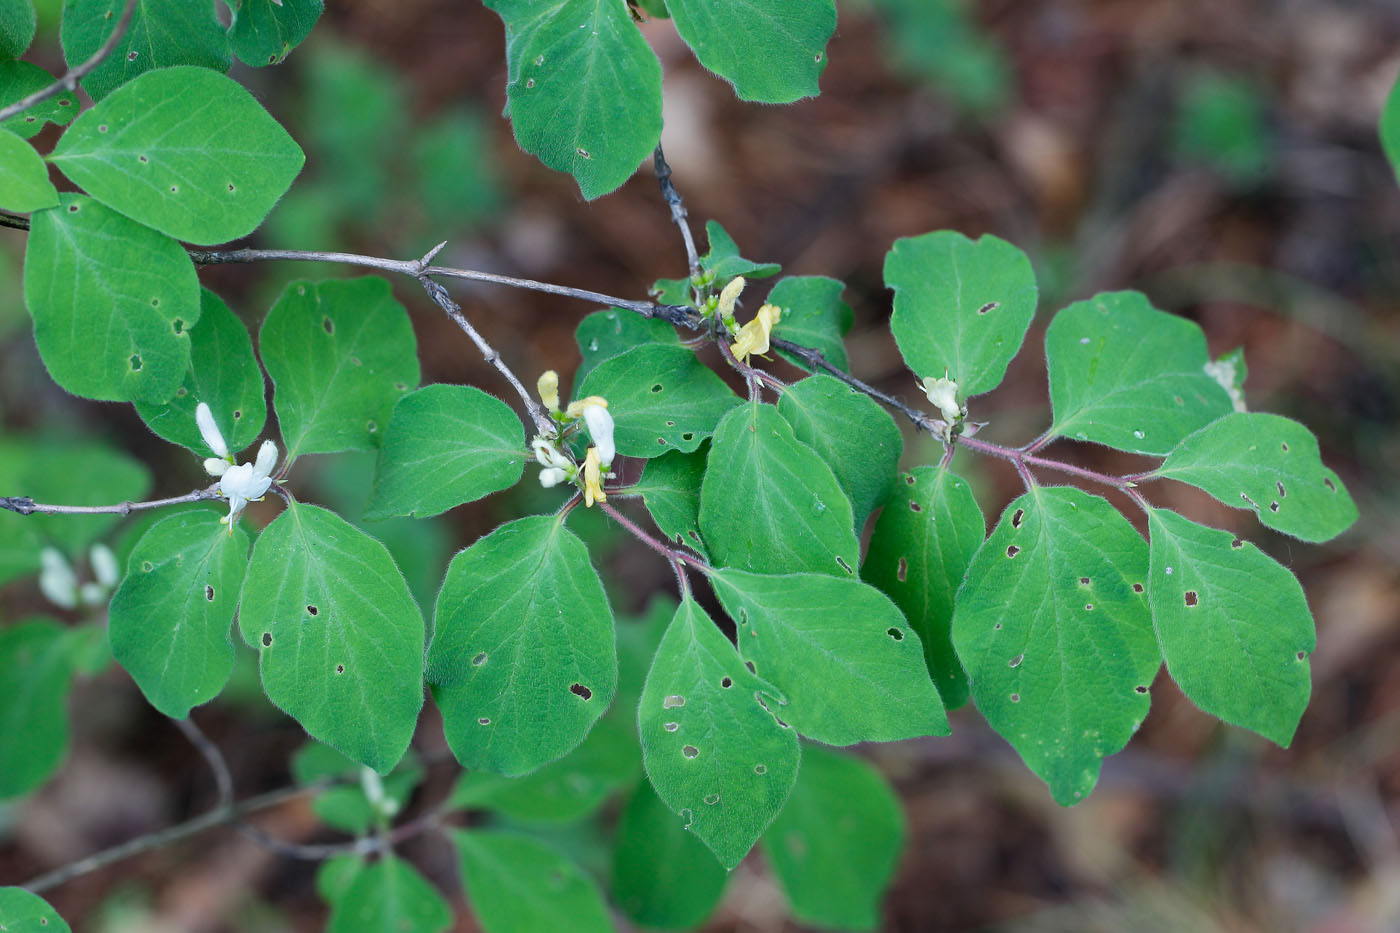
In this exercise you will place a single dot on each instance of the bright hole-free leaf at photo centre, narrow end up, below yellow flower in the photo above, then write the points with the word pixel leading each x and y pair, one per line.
pixel 771 504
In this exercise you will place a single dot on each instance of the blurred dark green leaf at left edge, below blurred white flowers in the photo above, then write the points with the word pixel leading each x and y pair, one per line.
pixel 36 675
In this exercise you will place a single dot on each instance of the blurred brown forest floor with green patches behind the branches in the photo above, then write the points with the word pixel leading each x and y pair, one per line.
pixel 1221 158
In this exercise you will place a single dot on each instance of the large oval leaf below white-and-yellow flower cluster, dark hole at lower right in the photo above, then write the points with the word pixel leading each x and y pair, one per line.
pixel 523 658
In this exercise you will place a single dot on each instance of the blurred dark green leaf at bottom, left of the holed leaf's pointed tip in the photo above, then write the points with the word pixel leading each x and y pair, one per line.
pixel 663 876
